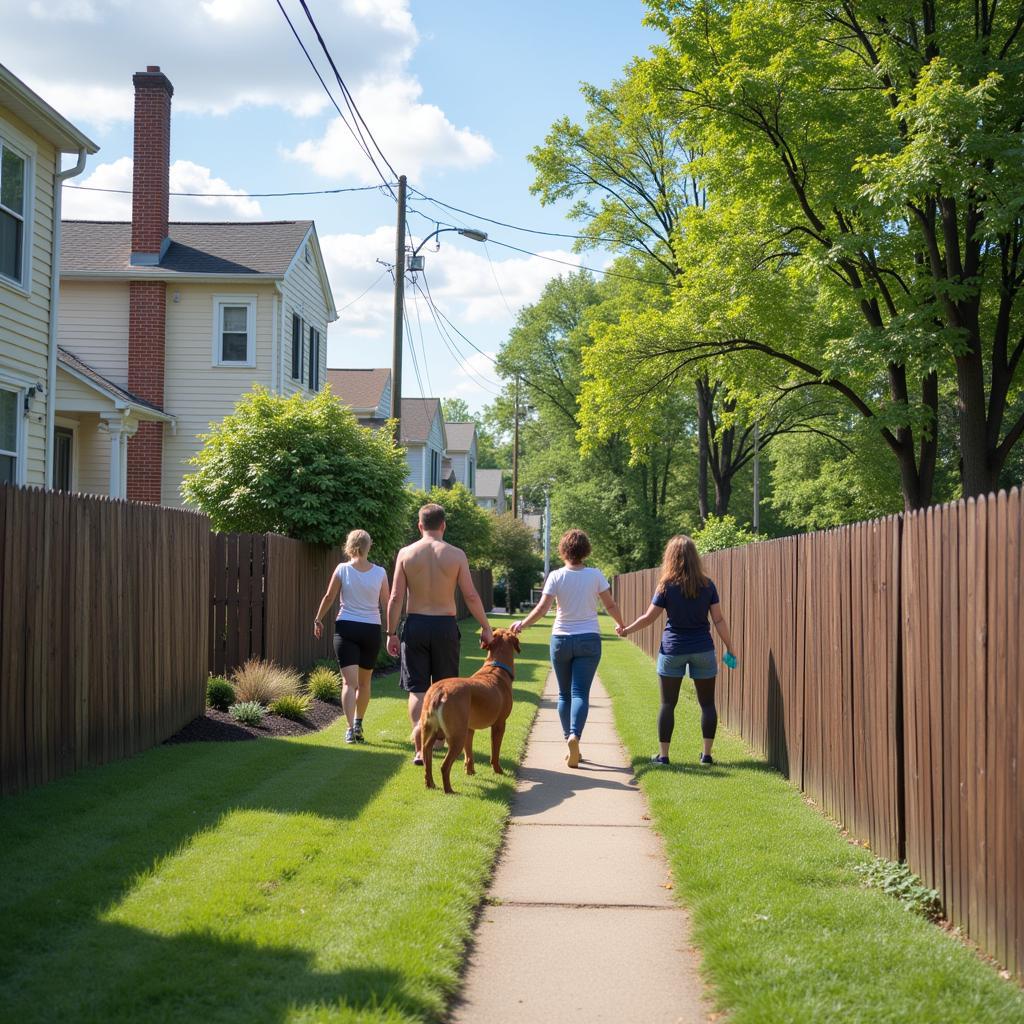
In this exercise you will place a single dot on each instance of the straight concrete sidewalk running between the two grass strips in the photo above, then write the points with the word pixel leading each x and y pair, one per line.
pixel 580 923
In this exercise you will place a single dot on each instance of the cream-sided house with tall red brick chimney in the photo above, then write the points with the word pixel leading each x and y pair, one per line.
pixel 163 327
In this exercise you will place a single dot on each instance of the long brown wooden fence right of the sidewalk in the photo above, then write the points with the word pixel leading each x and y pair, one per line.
pixel 881 670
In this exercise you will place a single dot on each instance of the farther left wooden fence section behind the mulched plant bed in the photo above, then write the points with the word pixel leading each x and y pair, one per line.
pixel 265 591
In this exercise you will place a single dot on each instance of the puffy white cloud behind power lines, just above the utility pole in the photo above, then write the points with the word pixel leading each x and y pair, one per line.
pixel 413 135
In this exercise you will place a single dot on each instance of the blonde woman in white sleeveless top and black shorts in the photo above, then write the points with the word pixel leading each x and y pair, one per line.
pixel 358 631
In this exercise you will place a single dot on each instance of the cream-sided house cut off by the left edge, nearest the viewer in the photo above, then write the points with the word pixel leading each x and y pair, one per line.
pixel 33 137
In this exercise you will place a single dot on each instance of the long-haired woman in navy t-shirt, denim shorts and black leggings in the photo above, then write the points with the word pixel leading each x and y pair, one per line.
pixel 689 598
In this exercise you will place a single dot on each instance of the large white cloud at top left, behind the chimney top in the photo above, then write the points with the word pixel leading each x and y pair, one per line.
pixel 221 55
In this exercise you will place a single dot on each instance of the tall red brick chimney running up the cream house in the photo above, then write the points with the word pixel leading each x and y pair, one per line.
pixel 148 300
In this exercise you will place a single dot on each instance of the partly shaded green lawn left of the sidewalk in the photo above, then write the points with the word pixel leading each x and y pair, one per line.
pixel 297 880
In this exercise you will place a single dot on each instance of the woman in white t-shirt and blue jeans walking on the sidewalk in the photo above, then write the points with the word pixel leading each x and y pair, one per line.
pixel 576 637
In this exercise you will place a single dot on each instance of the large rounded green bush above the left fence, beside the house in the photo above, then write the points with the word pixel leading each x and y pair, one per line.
pixel 303 467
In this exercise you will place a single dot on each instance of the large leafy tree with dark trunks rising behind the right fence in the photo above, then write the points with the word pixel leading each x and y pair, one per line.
pixel 875 150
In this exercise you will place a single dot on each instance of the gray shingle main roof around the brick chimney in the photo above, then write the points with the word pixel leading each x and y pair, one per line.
pixel 229 248
